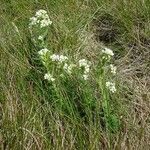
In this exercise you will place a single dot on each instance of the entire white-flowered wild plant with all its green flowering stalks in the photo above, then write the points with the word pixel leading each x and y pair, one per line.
pixel 60 67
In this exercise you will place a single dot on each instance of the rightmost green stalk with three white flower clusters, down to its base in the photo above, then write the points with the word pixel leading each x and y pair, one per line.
pixel 105 69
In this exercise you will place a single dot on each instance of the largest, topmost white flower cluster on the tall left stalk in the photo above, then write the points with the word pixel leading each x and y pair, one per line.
pixel 41 18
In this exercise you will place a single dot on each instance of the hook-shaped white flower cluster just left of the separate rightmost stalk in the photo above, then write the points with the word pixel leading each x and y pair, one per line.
pixel 86 64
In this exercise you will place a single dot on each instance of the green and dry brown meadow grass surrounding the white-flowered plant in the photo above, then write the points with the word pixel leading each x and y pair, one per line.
pixel 31 115
